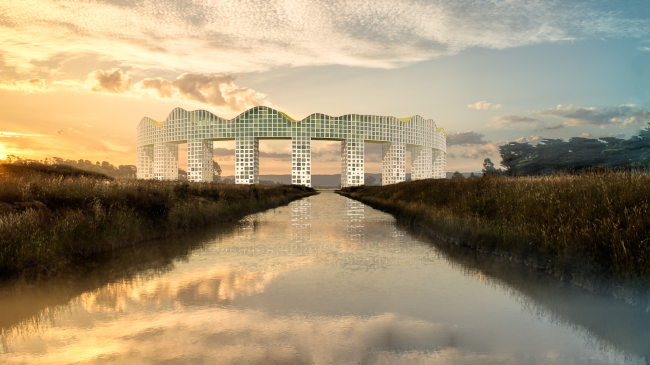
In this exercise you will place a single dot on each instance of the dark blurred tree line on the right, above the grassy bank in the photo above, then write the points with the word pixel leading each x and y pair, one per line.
pixel 578 153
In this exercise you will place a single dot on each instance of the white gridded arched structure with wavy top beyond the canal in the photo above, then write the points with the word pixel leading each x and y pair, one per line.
pixel 157 144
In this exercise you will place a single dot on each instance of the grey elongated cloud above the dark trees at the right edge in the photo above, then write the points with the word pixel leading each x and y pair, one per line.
pixel 619 115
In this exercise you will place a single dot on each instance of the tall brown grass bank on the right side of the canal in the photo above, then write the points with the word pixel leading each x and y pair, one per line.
pixel 591 223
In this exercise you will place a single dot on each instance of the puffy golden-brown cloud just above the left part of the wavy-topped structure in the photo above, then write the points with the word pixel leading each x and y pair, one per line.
pixel 213 89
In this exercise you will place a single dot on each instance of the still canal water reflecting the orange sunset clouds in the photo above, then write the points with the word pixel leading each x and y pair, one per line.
pixel 325 280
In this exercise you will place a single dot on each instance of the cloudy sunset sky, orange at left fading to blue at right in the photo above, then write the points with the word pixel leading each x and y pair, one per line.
pixel 76 77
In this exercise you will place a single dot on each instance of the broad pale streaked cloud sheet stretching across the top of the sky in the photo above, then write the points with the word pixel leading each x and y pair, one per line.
pixel 255 35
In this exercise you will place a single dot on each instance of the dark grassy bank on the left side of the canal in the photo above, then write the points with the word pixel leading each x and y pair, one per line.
pixel 48 220
